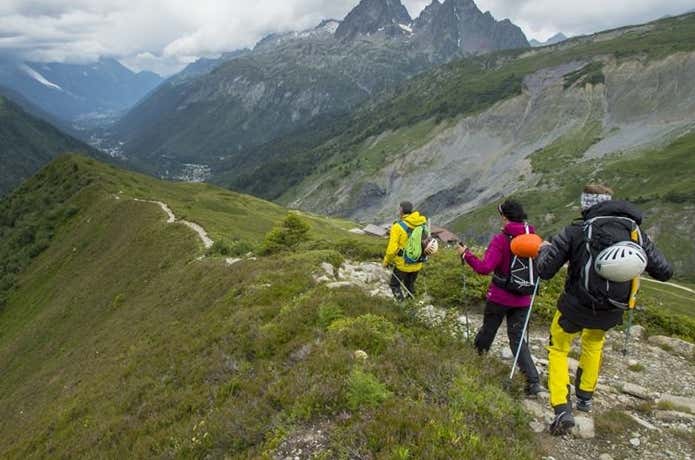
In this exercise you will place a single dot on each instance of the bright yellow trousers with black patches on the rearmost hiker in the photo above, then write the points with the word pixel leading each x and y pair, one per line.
pixel 592 341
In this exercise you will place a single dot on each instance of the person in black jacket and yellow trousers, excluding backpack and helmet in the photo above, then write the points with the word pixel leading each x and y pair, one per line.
pixel 578 312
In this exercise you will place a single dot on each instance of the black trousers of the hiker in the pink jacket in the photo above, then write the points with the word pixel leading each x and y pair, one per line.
pixel 492 319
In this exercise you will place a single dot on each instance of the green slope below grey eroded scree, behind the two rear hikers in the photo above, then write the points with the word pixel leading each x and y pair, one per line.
pixel 659 181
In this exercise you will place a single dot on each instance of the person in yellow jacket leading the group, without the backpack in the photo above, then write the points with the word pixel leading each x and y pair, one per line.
pixel 404 274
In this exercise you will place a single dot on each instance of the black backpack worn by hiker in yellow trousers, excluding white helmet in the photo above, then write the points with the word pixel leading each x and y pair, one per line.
pixel 600 233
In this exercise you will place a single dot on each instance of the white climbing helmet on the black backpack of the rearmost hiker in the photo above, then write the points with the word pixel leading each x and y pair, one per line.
pixel 621 262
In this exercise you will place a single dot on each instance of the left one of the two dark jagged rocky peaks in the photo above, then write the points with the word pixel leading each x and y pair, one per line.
pixel 372 16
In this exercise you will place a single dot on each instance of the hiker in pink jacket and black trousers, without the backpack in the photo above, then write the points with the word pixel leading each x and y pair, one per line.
pixel 501 303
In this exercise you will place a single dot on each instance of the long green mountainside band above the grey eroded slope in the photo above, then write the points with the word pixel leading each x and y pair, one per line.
pixel 445 94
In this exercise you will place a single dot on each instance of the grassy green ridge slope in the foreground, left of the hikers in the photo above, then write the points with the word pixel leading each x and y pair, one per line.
pixel 118 340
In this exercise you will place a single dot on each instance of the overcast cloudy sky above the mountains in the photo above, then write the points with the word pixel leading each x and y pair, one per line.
pixel 164 35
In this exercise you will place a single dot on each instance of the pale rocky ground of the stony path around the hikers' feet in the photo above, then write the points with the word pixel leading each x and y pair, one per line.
pixel 644 406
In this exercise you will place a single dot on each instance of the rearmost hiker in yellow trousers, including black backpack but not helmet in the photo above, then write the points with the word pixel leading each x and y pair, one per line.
pixel 582 309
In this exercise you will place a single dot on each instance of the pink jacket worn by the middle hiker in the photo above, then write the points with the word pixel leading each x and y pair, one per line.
pixel 497 259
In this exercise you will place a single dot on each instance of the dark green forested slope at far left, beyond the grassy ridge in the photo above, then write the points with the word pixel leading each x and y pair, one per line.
pixel 27 143
